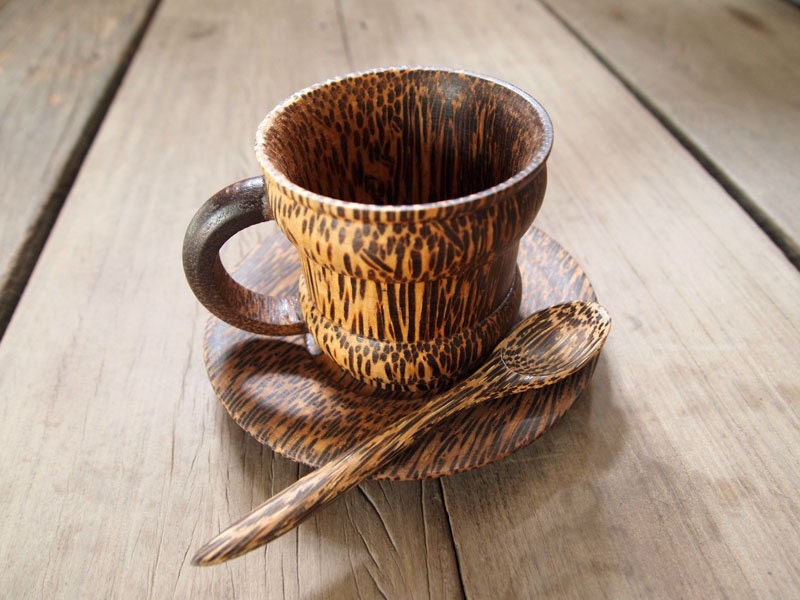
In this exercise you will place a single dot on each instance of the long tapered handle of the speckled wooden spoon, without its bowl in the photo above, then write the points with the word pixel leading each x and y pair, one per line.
pixel 285 510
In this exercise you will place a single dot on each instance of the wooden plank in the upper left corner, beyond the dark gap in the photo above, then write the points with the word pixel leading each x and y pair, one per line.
pixel 59 65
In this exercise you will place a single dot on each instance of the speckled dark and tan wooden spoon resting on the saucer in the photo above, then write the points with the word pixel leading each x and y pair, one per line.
pixel 543 349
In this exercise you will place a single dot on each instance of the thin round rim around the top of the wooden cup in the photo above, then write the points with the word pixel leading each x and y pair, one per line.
pixel 344 208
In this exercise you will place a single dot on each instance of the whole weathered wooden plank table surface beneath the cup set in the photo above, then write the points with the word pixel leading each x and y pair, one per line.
pixel 673 181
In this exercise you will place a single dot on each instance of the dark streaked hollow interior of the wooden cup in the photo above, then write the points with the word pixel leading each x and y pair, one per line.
pixel 404 137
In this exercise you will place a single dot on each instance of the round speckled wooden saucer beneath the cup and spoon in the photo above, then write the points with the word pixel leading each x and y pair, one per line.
pixel 301 407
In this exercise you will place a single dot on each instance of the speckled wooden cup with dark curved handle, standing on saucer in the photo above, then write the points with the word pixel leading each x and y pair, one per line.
pixel 406 192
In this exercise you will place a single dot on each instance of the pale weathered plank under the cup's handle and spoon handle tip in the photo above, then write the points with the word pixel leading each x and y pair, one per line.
pixel 118 462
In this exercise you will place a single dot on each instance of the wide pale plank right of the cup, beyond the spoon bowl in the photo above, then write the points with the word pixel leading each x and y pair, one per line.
pixel 677 474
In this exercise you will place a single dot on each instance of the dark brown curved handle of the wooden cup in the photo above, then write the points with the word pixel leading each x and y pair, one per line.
pixel 226 213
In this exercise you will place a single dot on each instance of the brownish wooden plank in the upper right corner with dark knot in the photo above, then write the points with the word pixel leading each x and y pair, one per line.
pixel 726 76
